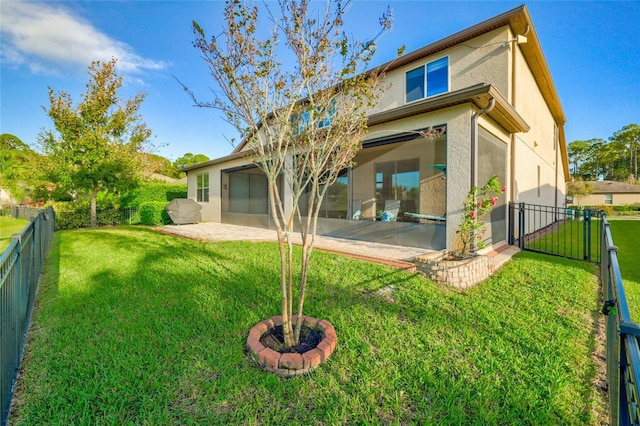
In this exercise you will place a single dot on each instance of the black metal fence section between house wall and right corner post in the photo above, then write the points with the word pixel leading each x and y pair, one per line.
pixel 567 232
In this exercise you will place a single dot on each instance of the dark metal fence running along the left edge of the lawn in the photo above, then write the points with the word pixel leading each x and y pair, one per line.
pixel 20 268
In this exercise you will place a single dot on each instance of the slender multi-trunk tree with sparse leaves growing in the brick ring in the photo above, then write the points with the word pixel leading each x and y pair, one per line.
pixel 303 123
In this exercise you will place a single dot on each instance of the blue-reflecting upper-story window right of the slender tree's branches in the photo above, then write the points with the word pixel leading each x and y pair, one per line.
pixel 428 80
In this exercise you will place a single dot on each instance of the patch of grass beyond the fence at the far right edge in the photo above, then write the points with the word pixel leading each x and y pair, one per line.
pixel 626 234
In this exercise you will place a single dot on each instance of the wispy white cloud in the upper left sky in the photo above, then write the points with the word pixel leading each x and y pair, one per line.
pixel 41 36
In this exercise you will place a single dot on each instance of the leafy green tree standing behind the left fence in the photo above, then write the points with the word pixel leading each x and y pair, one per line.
pixel 96 144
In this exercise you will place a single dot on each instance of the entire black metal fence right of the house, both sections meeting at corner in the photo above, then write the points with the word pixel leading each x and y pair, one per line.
pixel 584 234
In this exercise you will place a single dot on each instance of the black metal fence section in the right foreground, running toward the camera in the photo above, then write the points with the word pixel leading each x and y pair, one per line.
pixel 623 351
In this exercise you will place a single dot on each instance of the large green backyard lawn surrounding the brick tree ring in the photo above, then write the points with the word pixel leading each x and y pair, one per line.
pixel 132 326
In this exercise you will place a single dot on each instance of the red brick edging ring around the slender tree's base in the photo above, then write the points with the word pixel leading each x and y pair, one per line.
pixel 292 364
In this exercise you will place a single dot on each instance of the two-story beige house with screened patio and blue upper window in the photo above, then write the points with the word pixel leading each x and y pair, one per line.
pixel 487 89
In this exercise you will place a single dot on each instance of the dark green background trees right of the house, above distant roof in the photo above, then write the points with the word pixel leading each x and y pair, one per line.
pixel 614 159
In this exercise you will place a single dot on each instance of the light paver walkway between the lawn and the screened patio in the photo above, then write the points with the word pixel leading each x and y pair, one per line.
pixel 398 256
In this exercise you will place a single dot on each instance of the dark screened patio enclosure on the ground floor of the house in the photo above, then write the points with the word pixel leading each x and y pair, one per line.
pixel 395 193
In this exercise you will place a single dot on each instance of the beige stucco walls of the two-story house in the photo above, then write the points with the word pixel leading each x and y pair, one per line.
pixel 534 169
